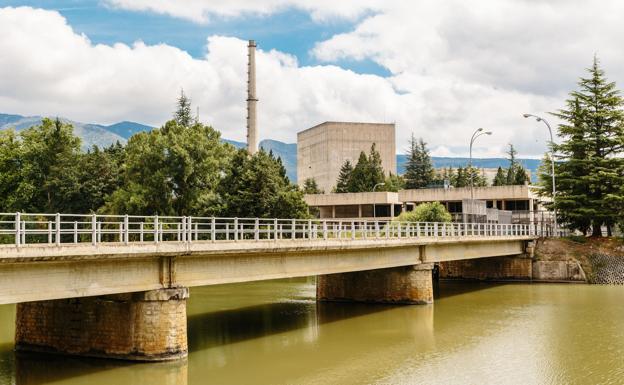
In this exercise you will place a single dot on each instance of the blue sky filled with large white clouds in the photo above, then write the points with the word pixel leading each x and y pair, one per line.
pixel 438 68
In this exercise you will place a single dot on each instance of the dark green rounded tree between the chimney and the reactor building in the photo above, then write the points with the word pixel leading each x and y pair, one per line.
pixel 254 186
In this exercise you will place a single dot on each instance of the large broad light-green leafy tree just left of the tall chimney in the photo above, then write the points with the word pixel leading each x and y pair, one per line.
pixel 173 170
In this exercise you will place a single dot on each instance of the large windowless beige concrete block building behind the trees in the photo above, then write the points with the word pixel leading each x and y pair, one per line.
pixel 323 149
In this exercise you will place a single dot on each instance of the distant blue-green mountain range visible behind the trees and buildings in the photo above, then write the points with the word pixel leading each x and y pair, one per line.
pixel 103 135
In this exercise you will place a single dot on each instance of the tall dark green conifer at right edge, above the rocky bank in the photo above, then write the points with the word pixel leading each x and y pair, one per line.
pixel 590 172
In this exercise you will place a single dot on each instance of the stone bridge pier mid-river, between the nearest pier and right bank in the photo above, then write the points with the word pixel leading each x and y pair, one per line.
pixel 405 284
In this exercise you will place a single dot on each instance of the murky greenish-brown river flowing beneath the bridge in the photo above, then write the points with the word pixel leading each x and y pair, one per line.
pixel 274 332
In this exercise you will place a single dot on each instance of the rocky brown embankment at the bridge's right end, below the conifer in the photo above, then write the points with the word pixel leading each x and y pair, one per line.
pixel 594 260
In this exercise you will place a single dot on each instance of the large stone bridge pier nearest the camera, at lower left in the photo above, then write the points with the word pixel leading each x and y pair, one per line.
pixel 143 326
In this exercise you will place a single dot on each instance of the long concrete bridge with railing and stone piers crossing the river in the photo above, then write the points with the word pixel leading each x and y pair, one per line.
pixel 116 286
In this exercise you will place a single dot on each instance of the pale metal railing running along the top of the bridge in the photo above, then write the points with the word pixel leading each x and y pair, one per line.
pixel 55 229
